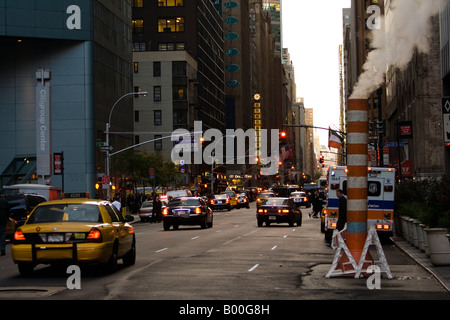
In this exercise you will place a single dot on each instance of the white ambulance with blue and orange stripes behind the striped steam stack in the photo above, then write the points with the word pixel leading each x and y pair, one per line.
pixel 380 194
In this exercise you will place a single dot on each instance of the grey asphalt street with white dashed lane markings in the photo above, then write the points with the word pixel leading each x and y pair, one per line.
pixel 234 260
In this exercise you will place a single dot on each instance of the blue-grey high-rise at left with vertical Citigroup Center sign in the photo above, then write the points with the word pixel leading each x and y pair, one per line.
pixel 64 65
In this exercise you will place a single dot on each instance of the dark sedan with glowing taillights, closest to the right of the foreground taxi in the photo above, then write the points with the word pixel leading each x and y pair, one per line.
pixel 187 211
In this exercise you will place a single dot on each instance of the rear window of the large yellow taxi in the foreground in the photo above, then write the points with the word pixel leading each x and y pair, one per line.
pixel 65 213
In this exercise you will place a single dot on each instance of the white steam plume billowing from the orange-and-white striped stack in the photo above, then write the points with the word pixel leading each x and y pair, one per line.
pixel 405 27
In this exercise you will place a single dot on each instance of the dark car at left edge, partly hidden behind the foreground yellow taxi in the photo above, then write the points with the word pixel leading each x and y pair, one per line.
pixel 21 205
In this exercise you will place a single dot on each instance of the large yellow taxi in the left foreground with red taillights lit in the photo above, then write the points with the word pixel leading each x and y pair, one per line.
pixel 74 231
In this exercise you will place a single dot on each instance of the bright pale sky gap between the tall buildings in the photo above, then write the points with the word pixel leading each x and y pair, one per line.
pixel 312 32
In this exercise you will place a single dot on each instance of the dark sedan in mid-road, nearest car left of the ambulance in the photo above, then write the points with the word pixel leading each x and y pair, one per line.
pixel 278 210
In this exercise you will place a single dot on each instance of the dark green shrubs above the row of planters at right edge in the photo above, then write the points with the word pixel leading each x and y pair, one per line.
pixel 425 200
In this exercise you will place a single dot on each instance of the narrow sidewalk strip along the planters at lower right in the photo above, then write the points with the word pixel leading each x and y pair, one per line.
pixel 441 273
